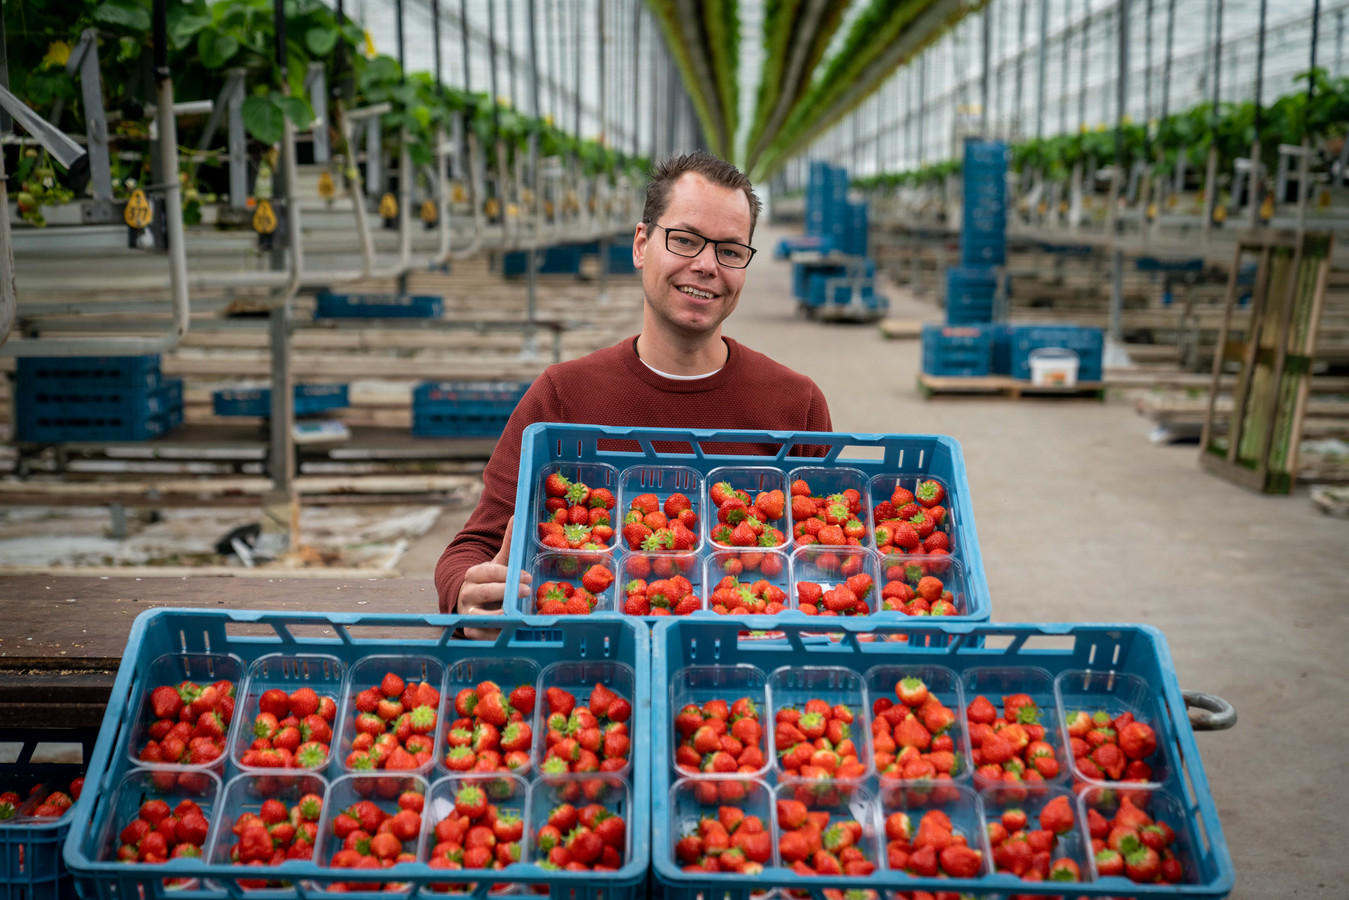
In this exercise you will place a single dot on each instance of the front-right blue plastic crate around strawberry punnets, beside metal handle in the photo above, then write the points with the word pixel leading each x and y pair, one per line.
pixel 720 654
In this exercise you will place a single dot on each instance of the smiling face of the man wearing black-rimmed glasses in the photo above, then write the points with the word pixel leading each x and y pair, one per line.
pixel 691 298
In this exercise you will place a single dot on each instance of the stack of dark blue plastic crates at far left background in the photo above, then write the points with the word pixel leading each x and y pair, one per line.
pixel 95 399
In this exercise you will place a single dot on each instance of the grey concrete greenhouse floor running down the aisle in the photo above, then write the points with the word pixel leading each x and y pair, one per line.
pixel 1083 520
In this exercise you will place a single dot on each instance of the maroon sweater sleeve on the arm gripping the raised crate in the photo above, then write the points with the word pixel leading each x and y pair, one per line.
pixel 482 535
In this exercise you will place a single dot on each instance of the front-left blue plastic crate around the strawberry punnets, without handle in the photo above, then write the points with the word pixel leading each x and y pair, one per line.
pixel 349 638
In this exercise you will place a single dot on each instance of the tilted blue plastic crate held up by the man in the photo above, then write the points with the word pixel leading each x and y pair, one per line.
pixel 590 451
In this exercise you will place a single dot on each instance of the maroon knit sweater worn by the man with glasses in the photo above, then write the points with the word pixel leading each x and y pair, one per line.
pixel 614 388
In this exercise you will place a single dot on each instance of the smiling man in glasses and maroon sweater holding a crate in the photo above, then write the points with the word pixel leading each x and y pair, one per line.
pixel 693 248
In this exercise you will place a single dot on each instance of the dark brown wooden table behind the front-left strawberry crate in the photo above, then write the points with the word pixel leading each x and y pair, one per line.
pixel 61 639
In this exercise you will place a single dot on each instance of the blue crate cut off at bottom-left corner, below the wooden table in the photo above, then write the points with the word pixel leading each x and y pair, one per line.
pixel 30 848
